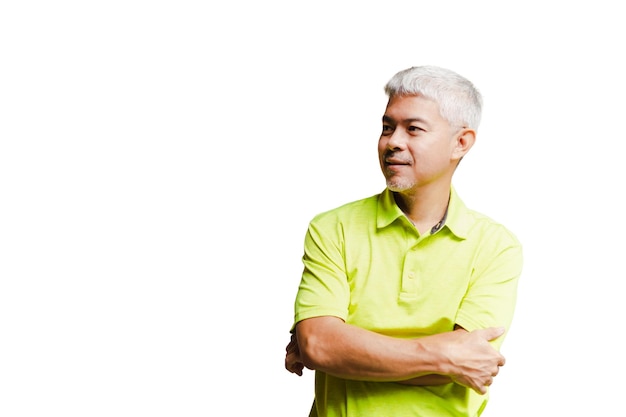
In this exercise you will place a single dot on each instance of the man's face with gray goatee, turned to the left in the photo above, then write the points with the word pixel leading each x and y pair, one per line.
pixel 417 146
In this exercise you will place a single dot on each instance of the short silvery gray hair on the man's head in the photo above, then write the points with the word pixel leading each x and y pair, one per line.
pixel 460 103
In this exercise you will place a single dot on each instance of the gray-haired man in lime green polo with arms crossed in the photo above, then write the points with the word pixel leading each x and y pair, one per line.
pixel 405 296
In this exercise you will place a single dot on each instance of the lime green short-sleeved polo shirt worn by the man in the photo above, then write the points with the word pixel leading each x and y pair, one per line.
pixel 365 263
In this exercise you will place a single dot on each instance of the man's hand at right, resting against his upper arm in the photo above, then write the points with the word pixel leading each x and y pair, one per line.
pixel 474 361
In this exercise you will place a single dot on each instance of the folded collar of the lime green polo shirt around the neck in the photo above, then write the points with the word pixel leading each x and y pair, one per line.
pixel 456 219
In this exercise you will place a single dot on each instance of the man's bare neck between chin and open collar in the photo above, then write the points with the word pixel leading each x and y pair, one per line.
pixel 424 207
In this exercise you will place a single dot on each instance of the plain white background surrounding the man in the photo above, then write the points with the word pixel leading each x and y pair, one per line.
pixel 159 163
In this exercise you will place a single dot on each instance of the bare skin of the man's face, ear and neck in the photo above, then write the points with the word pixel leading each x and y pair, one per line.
pixel 418 154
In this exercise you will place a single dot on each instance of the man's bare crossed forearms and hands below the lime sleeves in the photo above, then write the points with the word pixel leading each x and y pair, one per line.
pixel 330 345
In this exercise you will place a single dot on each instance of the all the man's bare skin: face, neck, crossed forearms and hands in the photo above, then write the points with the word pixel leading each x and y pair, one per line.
pixel 418 154
